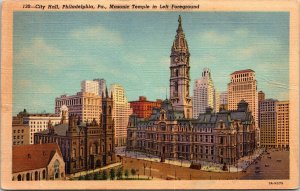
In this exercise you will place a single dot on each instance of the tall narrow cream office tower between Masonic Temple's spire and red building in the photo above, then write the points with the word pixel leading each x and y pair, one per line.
pixel 121 112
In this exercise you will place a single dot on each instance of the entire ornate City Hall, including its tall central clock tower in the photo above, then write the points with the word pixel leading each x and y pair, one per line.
pixel 171 132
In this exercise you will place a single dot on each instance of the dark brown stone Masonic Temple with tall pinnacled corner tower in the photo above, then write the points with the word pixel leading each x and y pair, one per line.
pixel 84 145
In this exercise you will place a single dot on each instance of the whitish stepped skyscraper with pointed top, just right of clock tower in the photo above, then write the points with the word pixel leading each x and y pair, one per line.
pixel 205 94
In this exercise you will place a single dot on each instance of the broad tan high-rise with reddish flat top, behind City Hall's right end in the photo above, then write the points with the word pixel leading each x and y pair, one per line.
pixel 243 86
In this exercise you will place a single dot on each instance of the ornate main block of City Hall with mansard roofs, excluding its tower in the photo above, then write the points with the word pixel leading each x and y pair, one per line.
pixel 222 137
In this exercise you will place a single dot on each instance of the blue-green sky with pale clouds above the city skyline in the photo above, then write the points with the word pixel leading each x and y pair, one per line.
pixel 55 51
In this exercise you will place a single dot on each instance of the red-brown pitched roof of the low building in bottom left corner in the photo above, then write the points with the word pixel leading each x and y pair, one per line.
pixel 30 157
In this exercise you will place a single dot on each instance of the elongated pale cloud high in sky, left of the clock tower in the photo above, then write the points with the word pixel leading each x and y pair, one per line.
pixel 97 34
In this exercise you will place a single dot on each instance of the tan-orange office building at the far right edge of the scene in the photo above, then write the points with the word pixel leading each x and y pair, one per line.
pixel 282 122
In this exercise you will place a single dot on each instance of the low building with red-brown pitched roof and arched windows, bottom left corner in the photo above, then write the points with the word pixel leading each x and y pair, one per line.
pixel 37 162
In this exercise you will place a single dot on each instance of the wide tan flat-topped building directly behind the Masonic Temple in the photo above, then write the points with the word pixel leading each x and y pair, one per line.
pixel 84 104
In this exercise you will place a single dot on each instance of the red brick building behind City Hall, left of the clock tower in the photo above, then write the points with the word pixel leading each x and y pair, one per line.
pixel 143 107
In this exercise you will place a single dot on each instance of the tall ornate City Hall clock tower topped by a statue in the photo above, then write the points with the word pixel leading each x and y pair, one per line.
pixel 180 73
